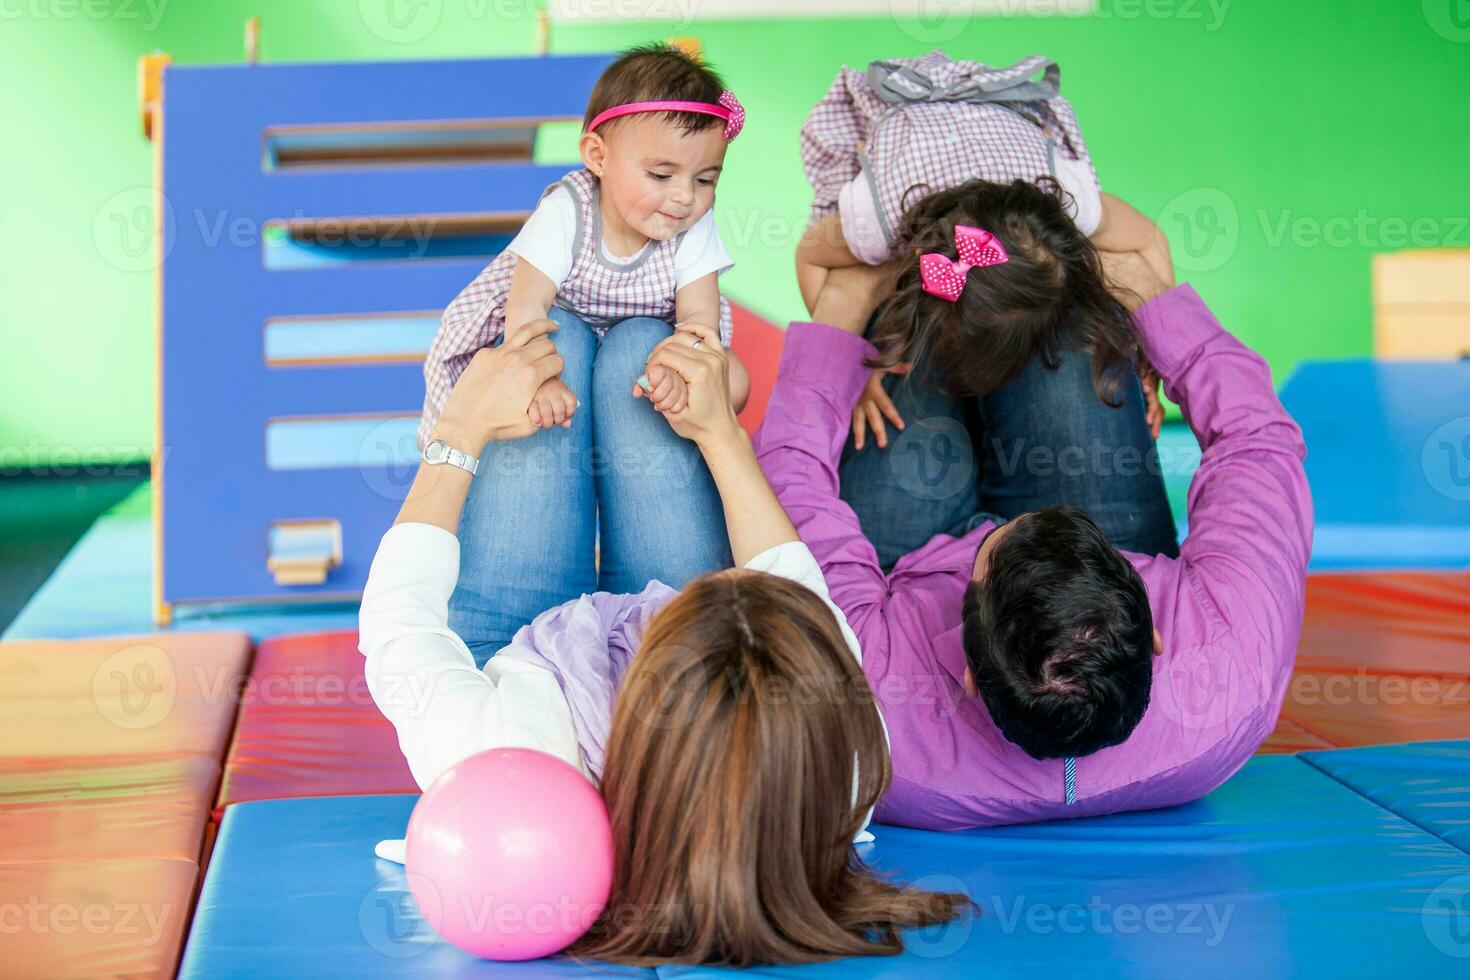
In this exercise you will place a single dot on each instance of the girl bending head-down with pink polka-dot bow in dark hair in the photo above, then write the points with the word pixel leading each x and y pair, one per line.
pixel 908 152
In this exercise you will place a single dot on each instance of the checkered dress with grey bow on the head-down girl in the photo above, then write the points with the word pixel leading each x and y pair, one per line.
pixel 914 127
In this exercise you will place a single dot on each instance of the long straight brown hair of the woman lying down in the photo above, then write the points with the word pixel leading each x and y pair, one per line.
pixel 730 782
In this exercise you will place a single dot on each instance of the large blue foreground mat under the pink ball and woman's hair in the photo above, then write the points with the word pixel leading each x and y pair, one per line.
pixel 1281 872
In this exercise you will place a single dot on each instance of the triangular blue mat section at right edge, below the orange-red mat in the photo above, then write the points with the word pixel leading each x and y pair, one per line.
pixel 1428 784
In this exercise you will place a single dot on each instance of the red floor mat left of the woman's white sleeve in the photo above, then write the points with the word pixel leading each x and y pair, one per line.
pixel 309 728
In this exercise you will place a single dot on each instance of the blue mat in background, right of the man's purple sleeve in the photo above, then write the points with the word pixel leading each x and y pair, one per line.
pixel 1388 456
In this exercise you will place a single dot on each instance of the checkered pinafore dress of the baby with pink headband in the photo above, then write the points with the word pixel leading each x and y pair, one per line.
pixel 599 292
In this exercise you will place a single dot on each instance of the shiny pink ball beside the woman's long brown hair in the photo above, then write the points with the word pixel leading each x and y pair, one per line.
pixel 511 854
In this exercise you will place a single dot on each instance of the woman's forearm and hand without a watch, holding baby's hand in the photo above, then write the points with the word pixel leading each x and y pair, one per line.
pixel 753 516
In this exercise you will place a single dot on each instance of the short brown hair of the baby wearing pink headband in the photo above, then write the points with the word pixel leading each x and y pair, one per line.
pixel 656 73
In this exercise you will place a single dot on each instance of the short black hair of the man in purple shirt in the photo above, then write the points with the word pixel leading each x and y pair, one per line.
pixel 1059 637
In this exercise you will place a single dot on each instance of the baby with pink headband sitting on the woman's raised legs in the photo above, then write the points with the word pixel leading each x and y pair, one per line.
pixel 628 236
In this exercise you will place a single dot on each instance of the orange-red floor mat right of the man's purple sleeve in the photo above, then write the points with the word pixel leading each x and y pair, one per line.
pixel 1384 657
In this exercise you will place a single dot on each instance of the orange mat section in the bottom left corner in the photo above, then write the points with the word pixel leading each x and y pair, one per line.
pixel 95 919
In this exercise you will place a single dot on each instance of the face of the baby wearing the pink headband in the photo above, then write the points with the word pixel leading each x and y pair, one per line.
pixel 658 177
